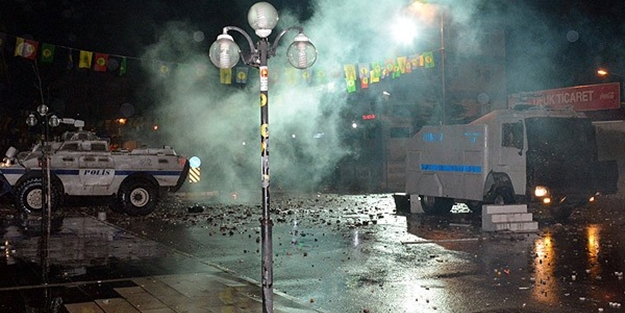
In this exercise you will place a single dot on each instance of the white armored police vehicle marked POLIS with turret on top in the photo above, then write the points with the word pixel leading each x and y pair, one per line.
pixel 82 164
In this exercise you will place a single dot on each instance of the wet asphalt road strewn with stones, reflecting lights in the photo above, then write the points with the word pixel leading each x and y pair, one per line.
pixel 354 253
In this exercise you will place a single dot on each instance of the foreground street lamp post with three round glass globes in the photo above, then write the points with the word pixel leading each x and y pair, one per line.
pixel 225 53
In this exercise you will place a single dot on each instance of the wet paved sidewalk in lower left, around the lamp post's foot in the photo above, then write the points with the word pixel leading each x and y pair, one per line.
pixel 97 267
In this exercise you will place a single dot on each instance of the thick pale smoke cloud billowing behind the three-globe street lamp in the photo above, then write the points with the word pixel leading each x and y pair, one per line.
pixel 221 123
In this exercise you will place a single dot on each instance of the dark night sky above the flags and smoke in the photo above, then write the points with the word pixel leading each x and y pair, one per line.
pixel 569 38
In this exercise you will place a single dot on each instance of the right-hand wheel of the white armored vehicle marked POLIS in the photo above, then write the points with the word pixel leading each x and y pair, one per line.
pixel 137 197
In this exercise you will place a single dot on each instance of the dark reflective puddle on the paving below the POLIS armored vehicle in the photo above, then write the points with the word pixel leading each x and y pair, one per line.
pixel 74 245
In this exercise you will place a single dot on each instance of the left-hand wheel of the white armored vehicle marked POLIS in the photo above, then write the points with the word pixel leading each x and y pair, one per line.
pixel 29 195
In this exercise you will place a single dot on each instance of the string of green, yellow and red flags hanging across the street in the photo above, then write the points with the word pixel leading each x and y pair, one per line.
pixel 356 75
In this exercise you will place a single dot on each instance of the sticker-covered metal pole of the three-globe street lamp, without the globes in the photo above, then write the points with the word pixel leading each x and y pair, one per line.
pixel 265 222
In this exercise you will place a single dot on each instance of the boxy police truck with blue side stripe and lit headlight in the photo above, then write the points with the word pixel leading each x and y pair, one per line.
pixel 526 155
